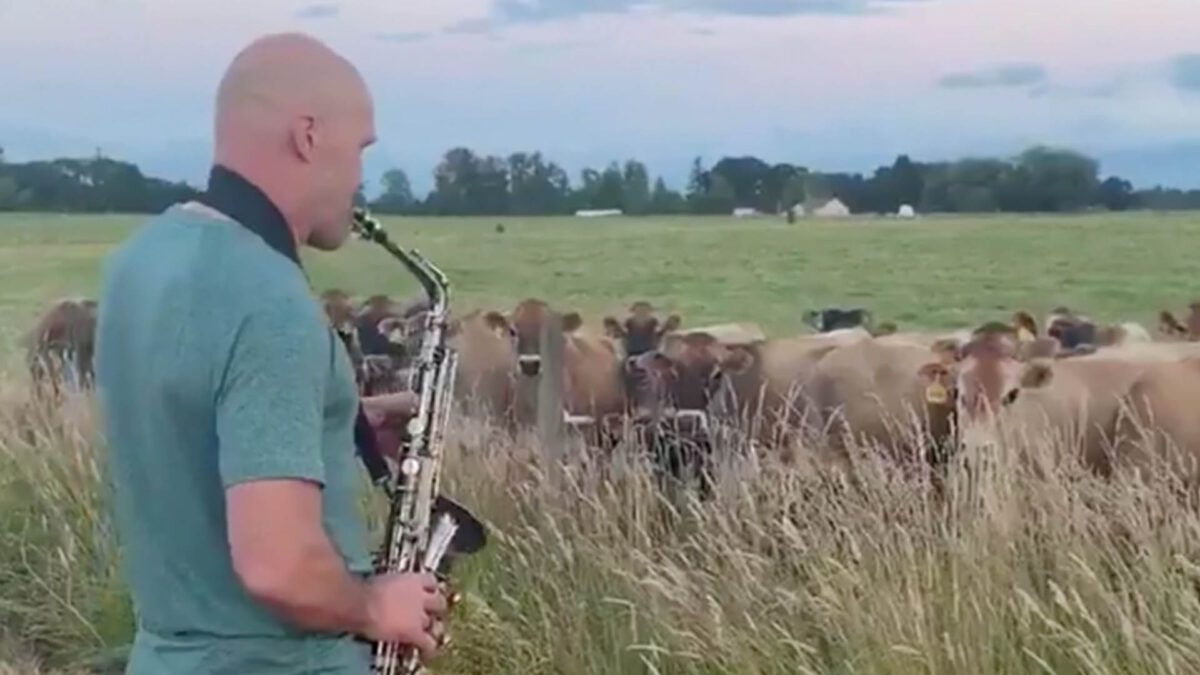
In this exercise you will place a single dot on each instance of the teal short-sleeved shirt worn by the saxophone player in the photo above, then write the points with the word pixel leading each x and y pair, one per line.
pixel 215 367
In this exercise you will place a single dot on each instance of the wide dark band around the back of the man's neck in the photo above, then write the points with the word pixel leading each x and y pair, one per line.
pixel 233 195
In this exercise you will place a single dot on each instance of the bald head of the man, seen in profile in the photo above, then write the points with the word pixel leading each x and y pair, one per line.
pixel 293 117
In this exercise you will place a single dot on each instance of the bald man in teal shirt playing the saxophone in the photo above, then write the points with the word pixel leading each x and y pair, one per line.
pixel 230 405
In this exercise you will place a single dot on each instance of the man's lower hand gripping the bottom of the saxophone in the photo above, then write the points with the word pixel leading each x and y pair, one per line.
pixel 409 610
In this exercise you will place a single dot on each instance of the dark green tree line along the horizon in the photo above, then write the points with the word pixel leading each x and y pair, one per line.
pixel 465 183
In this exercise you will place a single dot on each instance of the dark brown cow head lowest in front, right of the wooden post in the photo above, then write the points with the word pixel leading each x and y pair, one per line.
pixel 685 374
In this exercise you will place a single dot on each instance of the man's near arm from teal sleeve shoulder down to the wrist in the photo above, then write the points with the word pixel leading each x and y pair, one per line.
pixel 269 426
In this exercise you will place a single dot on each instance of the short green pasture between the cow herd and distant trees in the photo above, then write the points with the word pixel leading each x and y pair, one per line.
pixel 935 272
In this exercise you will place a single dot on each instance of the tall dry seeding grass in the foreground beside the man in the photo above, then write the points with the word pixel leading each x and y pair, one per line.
pixel 592 569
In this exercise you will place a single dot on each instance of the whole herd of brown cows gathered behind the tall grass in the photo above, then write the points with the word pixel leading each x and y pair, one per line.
pixel 849 384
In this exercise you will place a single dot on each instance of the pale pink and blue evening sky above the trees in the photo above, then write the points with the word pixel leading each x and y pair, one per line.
pixel 829 85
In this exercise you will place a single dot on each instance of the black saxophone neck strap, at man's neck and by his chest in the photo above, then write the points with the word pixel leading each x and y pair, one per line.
pixel 237 198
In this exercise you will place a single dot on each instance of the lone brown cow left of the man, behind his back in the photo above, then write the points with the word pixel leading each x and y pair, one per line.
pixel 61 347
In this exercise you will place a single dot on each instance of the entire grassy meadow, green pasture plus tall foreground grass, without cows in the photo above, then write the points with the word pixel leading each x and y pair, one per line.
pixel 592 571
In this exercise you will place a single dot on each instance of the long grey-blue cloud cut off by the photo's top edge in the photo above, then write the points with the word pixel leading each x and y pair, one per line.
pixel 530 11
